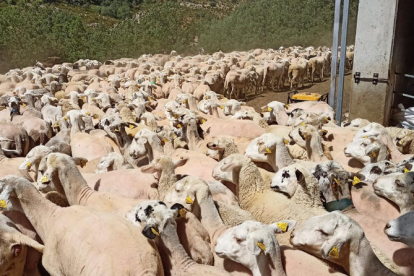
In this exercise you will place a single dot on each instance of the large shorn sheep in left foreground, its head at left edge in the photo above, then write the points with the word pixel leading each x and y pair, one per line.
pixel 52 223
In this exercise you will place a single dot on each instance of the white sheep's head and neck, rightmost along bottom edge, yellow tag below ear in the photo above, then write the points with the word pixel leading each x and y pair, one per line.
pixel 340 240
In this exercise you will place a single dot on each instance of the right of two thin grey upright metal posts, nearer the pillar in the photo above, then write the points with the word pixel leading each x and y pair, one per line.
pixel 342 61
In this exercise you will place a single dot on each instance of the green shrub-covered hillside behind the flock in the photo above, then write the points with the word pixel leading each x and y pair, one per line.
pixel 103 29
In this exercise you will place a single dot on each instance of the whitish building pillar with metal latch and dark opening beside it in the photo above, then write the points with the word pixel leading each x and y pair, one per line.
pixel 383 69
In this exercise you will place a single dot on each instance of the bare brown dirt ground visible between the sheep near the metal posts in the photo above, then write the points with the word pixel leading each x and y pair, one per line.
pixel 317 87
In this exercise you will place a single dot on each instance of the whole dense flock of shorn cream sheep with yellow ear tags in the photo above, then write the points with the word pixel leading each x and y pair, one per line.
pixel 145 167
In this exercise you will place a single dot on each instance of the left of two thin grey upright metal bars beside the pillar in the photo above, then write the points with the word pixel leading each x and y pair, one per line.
pixel 334 62
